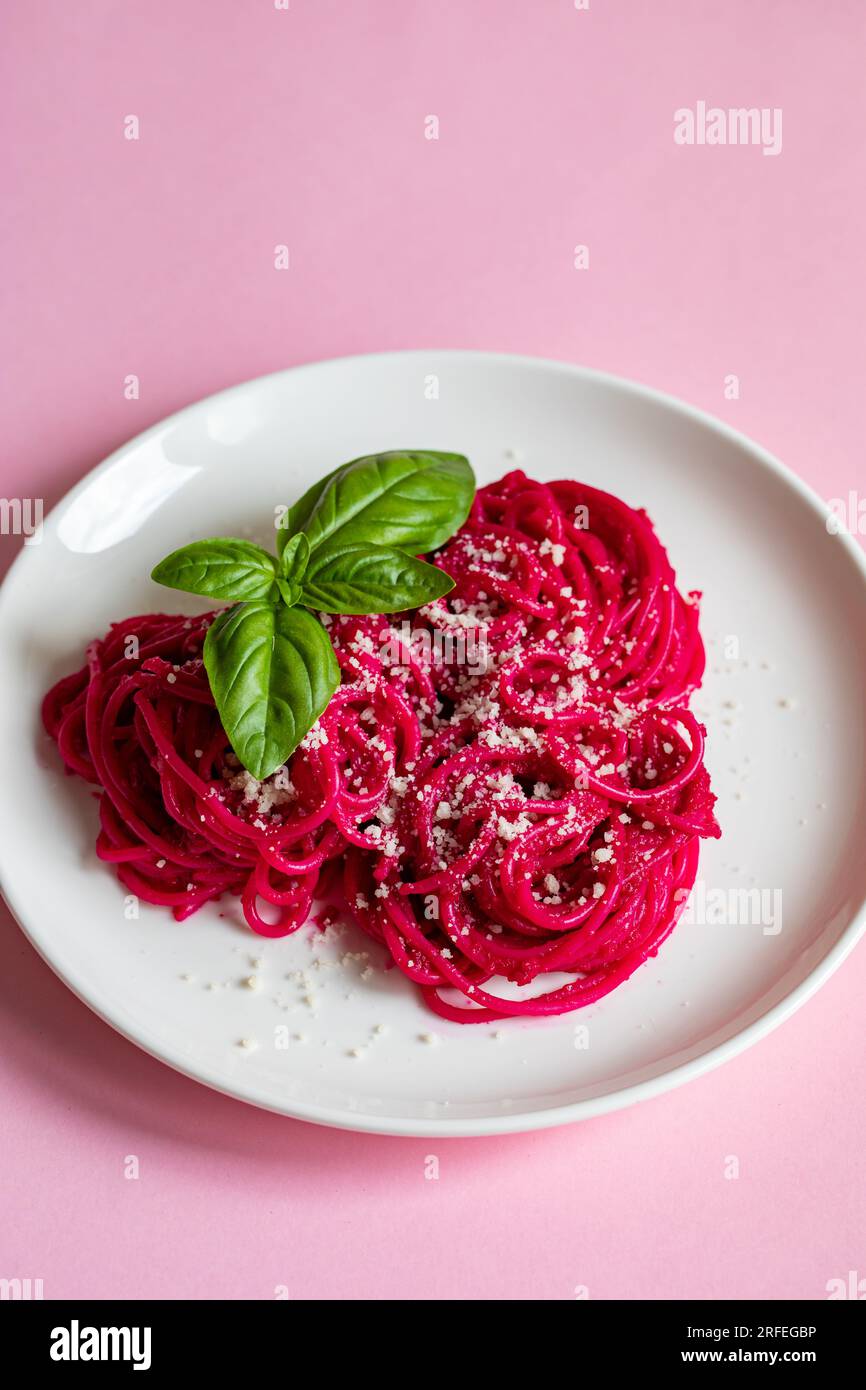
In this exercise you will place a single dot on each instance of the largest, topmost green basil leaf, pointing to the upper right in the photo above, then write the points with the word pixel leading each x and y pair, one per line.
pixel 411 500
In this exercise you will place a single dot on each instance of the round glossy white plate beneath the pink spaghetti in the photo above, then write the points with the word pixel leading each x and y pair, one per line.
pixel 792 780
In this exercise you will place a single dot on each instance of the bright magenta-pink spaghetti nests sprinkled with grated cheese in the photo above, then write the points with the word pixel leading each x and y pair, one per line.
pixel 509 786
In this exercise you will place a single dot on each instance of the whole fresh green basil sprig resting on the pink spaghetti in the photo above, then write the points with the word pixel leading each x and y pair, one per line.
pixel 350 546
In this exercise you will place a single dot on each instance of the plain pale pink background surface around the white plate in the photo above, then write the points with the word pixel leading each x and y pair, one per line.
pixel 155 258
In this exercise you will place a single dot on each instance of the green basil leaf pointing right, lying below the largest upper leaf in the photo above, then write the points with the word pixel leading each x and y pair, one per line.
pixel 370 579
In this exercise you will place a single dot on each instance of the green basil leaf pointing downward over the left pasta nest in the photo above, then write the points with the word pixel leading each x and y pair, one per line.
pixel 272 672
